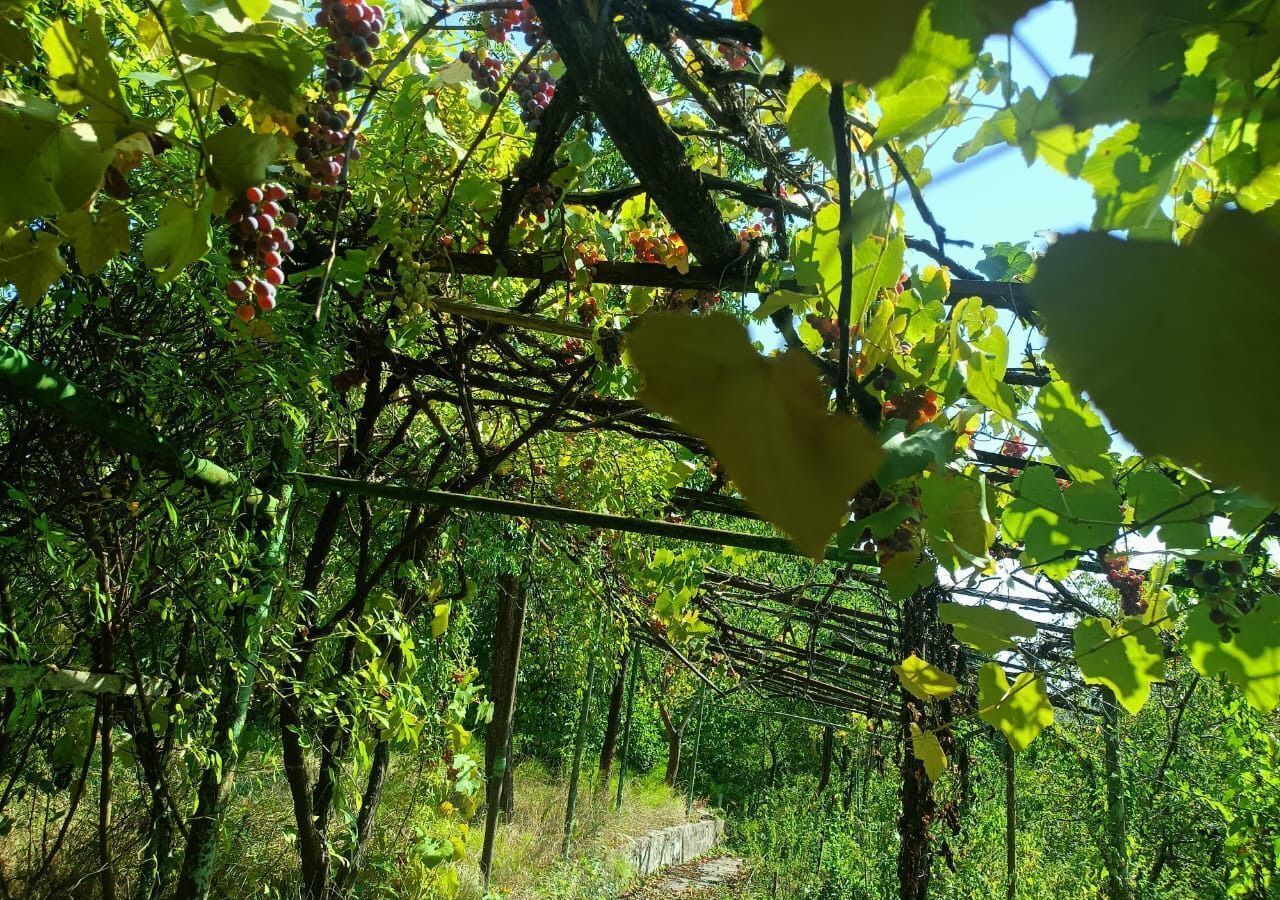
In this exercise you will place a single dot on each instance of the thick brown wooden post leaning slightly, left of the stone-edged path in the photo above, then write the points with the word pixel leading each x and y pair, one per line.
pixel 508 639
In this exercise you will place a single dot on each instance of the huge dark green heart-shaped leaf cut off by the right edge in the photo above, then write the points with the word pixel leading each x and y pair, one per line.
pixel 1154 332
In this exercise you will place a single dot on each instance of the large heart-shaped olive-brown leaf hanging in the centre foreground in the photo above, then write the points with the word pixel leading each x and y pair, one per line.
pixel 766 419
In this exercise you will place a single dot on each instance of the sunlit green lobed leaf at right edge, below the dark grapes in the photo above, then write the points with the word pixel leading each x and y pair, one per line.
pixel 1251 659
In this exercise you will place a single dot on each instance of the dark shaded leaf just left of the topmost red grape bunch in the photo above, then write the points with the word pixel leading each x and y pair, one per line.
pixel 253 65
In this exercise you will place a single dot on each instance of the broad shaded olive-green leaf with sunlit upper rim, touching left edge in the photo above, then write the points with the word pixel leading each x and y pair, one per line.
pixel 49 167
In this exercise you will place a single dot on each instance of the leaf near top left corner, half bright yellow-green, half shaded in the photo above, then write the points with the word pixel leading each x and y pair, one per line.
pixel 80 68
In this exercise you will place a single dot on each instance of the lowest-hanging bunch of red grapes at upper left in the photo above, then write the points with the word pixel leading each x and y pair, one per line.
pixel 260 240
